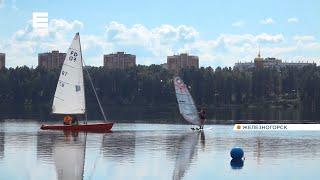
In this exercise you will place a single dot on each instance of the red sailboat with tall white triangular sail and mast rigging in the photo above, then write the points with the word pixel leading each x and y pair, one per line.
pixel 69 96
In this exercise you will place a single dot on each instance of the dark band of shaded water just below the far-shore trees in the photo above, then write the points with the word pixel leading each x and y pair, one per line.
pixel 170 114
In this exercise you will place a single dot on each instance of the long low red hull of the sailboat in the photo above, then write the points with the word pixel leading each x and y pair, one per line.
pixel 97 127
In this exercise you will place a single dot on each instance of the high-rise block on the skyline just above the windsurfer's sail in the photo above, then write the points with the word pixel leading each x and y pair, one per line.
pixel 177 62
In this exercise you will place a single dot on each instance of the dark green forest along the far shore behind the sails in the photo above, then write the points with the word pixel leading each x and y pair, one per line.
pixel 32 90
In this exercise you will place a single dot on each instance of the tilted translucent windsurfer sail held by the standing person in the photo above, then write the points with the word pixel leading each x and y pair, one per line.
pixel 186 104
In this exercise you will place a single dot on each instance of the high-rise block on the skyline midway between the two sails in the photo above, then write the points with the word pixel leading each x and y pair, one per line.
pixel 119 60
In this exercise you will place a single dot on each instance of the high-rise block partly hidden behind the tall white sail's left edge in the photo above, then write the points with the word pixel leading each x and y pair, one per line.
pixel 51 60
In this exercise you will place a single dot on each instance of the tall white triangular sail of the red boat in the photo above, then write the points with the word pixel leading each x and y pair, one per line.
pixel 69 96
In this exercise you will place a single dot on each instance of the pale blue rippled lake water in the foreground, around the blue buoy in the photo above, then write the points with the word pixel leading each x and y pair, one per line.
pixel 155 151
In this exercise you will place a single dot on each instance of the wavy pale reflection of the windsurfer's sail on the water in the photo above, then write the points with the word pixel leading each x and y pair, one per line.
pixel 186 152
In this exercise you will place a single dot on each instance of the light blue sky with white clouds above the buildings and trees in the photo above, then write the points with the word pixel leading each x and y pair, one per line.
pixel 219 32
